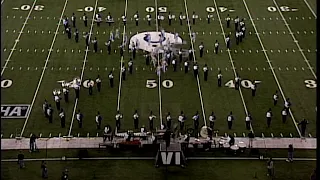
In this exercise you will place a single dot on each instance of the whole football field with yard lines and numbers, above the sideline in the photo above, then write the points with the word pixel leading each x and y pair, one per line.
pixel 278 53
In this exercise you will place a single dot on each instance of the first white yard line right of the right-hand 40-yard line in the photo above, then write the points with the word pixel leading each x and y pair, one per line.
pixel 270 65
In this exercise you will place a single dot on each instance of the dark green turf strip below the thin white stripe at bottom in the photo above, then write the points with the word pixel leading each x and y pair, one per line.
pixel 145 170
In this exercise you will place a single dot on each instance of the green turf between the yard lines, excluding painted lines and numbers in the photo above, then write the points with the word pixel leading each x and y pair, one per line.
pixel 185 93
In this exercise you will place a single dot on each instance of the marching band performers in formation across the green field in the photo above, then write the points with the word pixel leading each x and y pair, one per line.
pixel 161 57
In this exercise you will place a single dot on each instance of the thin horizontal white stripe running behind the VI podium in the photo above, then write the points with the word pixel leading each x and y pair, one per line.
pixel 153 158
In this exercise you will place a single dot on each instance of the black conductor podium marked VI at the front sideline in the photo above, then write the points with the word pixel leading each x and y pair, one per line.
pixel 170 156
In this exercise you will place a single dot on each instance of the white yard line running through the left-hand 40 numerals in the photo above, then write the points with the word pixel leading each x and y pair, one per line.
pixel 84 65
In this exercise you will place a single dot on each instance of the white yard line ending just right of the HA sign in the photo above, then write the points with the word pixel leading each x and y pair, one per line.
pixel 44 69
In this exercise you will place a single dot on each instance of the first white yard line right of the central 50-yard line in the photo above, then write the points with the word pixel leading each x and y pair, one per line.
pixel 194 59
